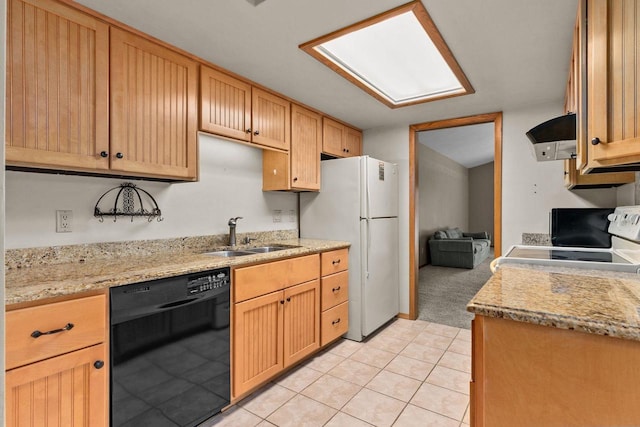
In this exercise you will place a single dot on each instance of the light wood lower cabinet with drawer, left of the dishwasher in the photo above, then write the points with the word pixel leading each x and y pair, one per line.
pixel 58 364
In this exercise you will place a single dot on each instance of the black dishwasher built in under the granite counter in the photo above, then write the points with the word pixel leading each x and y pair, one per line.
pixel 170 347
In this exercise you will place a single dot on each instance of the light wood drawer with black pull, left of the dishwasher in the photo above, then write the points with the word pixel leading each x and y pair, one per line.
pixel 87 315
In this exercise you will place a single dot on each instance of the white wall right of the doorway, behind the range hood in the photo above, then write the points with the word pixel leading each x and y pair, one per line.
pixel 530 189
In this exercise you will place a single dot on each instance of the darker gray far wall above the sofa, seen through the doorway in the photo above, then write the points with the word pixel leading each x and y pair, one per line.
pixel 481 198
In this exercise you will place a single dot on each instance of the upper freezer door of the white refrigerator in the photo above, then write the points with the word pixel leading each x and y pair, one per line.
pixel 380 188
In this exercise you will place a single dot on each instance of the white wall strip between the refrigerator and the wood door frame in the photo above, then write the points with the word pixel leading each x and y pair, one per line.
pixel 392 145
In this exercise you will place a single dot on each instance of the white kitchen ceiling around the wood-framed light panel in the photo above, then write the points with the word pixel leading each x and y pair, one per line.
pixel 514 52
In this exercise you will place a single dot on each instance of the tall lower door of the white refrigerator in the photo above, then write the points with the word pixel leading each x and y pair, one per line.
pixel 380 276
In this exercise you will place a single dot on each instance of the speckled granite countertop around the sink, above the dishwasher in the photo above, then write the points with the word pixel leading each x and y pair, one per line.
pixel 46 281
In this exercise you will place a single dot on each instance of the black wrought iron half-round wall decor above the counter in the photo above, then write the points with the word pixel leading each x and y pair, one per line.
pixel 129 201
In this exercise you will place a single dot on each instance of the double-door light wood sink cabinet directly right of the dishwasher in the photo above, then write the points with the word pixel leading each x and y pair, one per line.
pixel 278 321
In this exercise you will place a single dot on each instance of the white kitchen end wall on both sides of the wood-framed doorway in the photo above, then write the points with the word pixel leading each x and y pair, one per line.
pixel 530 189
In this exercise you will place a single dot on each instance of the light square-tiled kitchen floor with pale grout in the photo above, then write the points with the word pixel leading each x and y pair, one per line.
pixel 411 373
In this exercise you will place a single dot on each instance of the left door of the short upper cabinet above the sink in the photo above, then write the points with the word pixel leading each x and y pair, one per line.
pixel 225 105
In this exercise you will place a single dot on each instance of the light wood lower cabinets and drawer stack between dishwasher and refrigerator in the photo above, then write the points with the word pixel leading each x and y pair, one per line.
pixel 277 315
